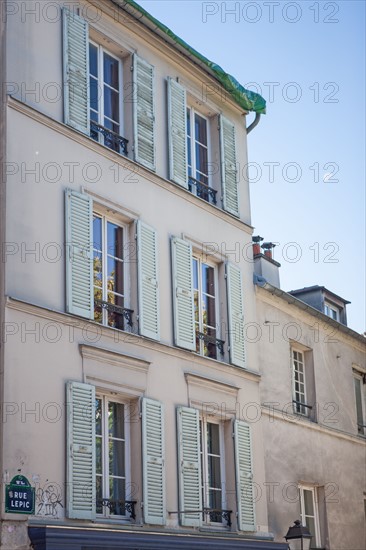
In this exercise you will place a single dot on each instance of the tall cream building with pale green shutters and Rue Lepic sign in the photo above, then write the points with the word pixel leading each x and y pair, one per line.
pixel 124 367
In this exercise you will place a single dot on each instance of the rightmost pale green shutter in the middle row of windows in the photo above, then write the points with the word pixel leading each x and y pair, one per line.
pixel 236 315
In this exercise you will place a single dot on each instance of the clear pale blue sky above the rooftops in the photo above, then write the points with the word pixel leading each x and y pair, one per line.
pixel 307 156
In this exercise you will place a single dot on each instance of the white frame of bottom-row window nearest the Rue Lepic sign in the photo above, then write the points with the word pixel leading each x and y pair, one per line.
pixel 106 398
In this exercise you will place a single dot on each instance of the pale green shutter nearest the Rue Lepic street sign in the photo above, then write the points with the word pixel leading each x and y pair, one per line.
pixel 80 451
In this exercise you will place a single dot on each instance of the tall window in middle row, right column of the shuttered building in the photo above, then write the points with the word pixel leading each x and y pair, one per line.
pixel 204 288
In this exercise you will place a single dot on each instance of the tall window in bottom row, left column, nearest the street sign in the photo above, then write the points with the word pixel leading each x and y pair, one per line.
pixel 111 459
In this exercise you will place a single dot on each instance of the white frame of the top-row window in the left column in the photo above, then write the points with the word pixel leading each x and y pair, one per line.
pixel 101 50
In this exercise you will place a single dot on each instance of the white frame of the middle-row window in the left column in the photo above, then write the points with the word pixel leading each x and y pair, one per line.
pixel 125 247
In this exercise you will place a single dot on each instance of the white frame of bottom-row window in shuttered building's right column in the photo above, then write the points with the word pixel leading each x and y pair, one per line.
pixel 204 420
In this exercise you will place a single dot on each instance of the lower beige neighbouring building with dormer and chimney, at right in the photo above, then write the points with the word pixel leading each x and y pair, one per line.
pixel 312 388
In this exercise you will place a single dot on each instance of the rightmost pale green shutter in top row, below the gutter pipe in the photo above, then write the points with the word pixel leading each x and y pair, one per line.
pixel 229 179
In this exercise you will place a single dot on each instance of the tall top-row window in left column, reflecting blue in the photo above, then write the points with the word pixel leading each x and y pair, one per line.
pixel 105 103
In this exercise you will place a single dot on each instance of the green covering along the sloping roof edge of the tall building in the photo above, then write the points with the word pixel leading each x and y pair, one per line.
pixel 248 100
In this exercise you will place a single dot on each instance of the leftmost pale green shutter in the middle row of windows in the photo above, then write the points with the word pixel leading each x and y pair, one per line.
pixel 79 254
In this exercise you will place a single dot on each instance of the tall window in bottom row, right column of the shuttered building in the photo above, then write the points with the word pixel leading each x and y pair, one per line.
pixel 212 469
